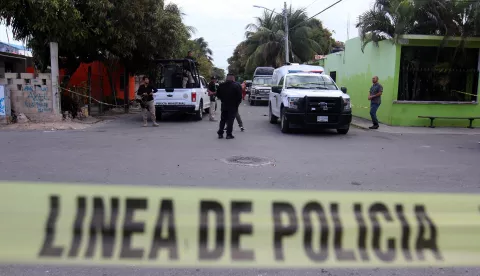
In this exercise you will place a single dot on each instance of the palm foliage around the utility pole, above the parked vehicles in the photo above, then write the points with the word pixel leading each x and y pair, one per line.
pixel 265 46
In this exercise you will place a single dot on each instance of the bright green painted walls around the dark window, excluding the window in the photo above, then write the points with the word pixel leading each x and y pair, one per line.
pixel 355 70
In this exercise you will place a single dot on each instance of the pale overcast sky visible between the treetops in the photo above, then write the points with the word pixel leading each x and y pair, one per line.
pixel 222 22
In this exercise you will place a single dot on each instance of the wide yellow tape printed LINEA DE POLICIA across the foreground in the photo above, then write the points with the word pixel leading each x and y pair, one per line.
pixel 193 227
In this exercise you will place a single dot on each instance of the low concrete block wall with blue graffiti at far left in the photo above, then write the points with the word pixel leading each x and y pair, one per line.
pixel 31 95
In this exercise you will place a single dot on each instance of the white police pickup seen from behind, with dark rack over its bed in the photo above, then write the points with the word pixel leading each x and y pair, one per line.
pixel 180 89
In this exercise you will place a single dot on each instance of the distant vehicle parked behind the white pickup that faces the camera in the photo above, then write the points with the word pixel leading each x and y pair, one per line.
pixel 262 79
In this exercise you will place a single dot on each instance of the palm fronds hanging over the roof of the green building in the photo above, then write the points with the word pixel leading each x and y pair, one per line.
pixel 390 18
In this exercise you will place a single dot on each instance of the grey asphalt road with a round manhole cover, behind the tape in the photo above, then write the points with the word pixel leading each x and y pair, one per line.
pixel 187 153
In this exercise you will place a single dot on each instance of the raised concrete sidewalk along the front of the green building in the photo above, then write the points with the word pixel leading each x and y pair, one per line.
pixel 365 124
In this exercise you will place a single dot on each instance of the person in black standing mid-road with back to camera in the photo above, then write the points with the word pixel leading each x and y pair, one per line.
pixel 230 93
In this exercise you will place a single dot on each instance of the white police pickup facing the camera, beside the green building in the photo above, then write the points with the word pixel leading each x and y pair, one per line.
pixel 304 97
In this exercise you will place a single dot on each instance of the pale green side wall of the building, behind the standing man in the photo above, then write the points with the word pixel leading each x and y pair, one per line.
pixel 356 69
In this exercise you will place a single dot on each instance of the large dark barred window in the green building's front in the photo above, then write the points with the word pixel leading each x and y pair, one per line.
pixel 438 74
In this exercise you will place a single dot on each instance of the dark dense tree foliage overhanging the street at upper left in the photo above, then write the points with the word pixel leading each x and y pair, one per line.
pixel 134 32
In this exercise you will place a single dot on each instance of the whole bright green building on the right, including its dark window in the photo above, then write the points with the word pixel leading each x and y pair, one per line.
pixel 421 76
